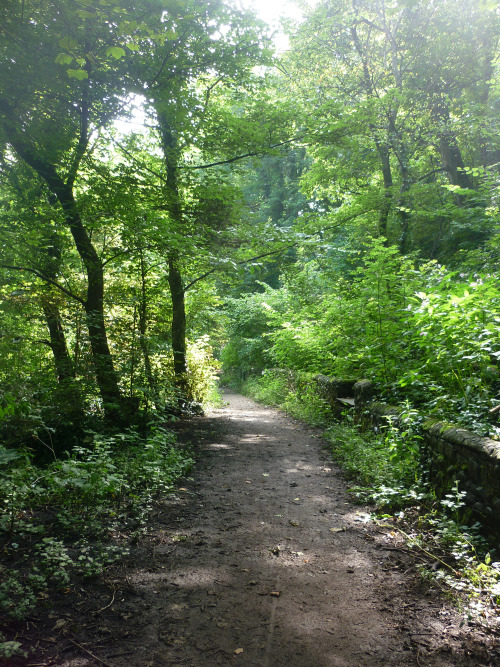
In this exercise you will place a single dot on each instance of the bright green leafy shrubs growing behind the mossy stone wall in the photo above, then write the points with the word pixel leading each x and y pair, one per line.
pixel 421 332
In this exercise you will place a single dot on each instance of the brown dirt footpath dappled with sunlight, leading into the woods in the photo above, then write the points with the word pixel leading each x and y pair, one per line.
pixel 261 560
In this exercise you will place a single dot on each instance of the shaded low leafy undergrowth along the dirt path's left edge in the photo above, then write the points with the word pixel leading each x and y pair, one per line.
pixel 57 521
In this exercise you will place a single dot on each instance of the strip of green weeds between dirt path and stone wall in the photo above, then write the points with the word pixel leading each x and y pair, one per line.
pixel 385 469
